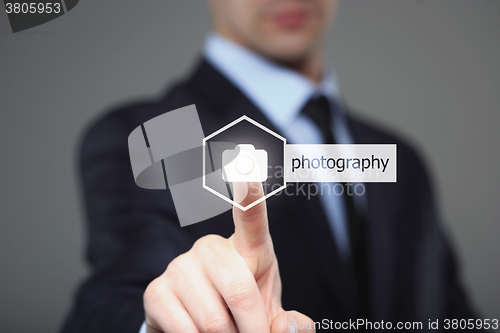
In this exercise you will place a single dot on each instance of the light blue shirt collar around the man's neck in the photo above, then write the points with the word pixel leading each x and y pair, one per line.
pixel 278 91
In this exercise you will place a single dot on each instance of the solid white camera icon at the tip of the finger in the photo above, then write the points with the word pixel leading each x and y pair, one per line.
pixel 244 164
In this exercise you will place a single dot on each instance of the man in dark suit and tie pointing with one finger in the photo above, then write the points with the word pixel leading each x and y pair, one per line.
pixel 287 263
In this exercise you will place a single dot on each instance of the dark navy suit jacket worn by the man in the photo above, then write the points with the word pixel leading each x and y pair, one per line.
pixel 134 233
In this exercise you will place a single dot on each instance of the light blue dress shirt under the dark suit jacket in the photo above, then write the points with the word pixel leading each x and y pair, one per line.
pixel 280 93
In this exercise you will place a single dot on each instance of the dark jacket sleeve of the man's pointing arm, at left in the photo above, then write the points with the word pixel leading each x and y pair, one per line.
pixel 132 233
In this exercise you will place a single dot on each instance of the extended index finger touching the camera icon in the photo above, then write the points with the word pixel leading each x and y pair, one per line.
pixel 251 228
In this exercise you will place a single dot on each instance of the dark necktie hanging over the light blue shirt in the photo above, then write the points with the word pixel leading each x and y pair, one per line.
pixel 319 110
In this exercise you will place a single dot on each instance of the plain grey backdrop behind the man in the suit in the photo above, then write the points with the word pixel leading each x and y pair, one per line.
pixel 427 68
